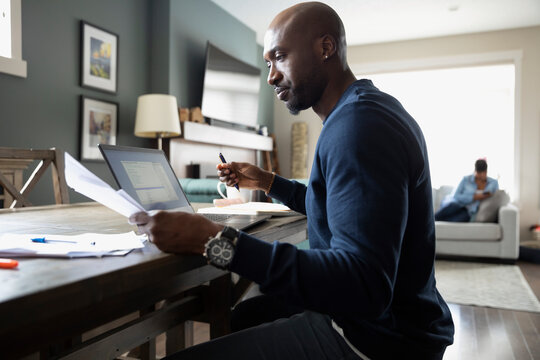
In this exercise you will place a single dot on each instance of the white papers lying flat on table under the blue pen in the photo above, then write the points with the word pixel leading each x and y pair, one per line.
pixel 70 246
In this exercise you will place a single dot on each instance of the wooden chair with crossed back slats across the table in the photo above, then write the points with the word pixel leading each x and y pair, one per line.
pixel 14 161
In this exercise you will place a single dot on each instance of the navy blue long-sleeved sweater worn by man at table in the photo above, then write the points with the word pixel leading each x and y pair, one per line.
pixel 371 233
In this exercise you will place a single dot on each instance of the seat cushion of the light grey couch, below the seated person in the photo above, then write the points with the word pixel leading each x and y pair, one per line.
pixel 467 231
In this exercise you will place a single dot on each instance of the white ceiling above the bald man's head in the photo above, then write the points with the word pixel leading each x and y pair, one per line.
pixel 374 21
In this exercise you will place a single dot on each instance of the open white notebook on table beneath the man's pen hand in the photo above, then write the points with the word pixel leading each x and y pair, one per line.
pixel 251 208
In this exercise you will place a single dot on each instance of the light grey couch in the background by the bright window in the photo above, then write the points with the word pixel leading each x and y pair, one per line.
pixel 498 239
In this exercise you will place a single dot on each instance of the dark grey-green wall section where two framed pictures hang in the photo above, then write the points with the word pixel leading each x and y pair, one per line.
pixel 43 110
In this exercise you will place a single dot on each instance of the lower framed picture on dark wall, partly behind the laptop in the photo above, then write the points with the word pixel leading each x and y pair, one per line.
pixel 99 125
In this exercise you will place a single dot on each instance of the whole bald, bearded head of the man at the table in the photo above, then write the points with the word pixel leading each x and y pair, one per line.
pixel 305 51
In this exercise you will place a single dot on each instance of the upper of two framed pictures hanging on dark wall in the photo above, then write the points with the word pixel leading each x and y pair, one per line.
pixel 99 58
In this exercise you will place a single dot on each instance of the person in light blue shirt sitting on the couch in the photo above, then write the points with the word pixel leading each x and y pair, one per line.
pixel 471 190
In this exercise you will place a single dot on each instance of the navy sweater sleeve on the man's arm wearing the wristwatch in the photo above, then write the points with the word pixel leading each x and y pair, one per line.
pixel 365 165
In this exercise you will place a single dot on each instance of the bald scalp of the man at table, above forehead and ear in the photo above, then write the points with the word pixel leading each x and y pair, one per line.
pixel 310 21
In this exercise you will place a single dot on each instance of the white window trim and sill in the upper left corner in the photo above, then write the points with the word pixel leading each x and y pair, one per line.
pixel 15 65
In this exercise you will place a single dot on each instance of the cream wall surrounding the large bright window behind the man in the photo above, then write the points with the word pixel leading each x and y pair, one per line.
pixel 526 40
